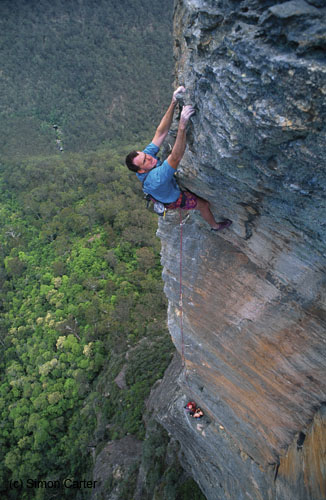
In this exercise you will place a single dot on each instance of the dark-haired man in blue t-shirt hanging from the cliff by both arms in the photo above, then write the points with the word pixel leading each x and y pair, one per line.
pixel 158 178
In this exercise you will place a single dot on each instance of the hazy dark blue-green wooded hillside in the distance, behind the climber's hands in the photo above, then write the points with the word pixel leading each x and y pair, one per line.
pixel 82 65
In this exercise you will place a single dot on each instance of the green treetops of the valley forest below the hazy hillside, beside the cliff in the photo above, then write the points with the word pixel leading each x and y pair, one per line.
pixel 80 287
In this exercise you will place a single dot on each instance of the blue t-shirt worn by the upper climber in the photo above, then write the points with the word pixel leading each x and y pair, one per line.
pixel 160 181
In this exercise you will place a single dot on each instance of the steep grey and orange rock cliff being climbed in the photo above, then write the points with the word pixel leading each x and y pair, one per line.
pixel 254 310
